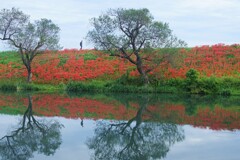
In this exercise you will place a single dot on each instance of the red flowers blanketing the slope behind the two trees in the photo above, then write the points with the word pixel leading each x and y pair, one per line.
pixel 72 64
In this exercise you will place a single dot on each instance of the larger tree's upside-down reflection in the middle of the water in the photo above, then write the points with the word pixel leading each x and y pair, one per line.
pixel 135 139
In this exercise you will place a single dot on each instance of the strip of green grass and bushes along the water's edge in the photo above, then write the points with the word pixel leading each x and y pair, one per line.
pixel 221 86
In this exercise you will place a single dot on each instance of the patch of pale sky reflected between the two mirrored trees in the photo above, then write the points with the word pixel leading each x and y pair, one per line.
pixel 73 140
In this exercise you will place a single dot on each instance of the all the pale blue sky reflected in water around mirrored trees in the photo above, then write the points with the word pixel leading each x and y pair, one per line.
pixel 199 144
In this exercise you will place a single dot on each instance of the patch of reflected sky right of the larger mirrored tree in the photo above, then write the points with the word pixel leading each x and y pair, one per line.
pixel 206 144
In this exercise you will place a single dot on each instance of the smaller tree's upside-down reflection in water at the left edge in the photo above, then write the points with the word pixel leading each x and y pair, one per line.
pixel 32 135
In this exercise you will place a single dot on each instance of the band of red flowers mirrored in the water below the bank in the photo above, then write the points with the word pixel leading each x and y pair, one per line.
pixel 217 118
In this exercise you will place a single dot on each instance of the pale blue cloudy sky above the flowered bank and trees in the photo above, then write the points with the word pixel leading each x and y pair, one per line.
pixel 197 22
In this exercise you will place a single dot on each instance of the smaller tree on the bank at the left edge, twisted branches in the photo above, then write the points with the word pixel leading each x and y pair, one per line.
pixel 29 38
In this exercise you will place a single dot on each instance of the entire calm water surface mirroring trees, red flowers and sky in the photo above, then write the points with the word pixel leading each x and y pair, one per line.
pixel 118 126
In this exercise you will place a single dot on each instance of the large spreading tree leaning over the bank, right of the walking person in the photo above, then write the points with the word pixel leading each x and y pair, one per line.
pixel 131 34
